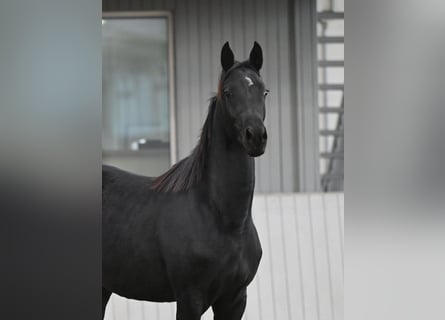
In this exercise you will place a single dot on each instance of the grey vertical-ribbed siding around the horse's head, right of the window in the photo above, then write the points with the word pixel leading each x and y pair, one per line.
pixel 201 28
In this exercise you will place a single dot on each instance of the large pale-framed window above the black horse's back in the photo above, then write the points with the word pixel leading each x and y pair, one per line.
pixel 137 92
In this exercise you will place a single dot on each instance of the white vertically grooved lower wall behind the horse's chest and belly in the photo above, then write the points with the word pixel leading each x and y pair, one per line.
pixel 301 273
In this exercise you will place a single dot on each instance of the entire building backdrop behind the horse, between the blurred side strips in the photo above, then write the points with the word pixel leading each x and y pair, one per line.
pixel 160 67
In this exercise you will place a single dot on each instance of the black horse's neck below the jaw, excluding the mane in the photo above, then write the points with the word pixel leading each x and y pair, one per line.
pixel 231 178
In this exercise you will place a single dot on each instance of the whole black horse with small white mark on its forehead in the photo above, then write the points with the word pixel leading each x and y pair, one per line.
pixel 188 236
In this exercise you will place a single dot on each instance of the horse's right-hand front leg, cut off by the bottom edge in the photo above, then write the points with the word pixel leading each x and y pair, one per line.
pixel 230 307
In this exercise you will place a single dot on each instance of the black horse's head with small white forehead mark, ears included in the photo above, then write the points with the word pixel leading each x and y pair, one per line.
pixel 242 95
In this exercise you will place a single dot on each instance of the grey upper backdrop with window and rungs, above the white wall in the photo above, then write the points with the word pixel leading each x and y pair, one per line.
pixel 161 65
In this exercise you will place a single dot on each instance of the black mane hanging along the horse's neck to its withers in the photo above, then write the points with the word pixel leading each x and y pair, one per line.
pixel 189 171
